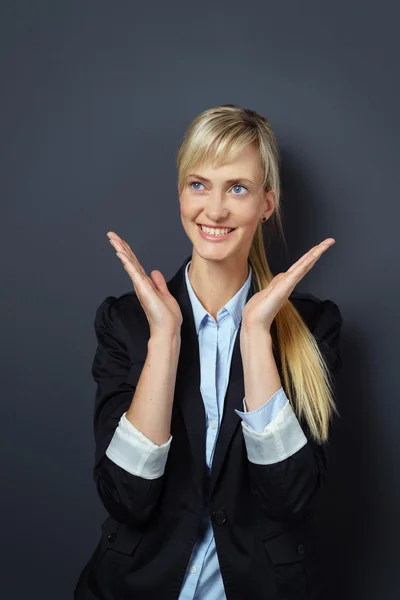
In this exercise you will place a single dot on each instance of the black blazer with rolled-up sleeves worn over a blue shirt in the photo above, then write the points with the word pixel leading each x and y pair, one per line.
pixel 262 515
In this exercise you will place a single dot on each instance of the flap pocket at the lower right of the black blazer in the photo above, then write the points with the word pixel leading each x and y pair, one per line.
pixel 288 553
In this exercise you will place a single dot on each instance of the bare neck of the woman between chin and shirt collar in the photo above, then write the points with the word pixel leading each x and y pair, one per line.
pixel 216 282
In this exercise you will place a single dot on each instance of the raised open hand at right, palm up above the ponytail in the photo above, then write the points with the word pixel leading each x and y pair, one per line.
pixel 261 309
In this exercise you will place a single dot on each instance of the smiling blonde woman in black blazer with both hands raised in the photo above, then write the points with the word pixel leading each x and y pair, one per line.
pixel 215 394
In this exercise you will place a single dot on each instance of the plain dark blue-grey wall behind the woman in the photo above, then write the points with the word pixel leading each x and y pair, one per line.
pixel 95 99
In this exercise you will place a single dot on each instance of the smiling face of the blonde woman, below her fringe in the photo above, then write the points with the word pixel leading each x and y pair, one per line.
pixel 230 196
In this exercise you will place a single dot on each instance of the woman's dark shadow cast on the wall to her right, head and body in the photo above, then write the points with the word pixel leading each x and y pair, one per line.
pixel 346 512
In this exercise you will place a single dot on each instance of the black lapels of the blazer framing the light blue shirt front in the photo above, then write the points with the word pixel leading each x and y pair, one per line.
pixel 188 395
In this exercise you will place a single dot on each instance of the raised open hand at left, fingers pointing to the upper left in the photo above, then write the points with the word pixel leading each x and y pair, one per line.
pixel 162 310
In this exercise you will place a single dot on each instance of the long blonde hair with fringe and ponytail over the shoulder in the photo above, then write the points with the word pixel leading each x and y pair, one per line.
pixel 216 134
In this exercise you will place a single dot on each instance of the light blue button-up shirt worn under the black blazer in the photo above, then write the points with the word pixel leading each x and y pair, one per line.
pixel 203 579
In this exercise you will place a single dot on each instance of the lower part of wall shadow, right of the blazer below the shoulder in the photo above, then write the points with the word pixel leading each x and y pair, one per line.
pixel 347 513
